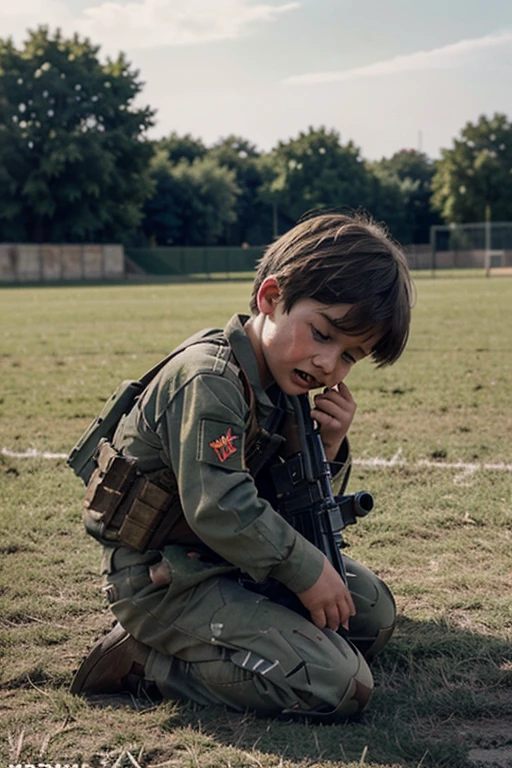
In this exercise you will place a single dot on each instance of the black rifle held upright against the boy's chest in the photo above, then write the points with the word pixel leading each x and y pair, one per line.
pixel 306 500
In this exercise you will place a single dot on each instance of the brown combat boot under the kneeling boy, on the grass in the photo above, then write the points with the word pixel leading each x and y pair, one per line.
pixel 115 664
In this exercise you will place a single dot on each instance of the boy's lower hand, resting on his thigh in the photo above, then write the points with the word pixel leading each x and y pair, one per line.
pixel 328 600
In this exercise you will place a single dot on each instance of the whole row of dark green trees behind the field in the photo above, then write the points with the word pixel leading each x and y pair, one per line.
pixel 76 165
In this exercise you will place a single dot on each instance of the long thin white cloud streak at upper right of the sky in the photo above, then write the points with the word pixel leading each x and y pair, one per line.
pixel 447 57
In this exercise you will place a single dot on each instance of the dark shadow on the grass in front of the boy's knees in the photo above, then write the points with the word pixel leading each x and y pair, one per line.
pixel 432 681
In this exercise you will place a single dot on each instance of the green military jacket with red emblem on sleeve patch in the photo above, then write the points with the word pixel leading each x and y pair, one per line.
pixel 193 418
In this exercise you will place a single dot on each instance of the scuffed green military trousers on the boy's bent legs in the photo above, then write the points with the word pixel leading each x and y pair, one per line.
pixel 214 641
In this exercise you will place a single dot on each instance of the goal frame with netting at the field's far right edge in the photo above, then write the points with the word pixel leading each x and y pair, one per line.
pixel 485 245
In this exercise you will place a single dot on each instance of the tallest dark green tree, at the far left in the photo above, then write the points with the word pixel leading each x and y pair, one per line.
pixel 73 154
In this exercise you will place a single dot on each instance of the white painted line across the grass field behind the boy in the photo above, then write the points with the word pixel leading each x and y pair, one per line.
pixel 373 463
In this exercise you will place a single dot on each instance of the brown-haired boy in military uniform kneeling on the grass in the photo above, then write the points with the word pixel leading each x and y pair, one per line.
pixel 333 290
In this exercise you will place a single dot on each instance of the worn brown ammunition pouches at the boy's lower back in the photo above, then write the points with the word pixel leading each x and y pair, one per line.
pixel 123 506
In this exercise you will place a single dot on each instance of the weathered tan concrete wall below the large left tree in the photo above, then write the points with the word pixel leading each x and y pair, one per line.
pixel 26 262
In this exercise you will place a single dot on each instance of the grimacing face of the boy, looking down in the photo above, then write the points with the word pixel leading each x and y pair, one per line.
pixel 303 350
